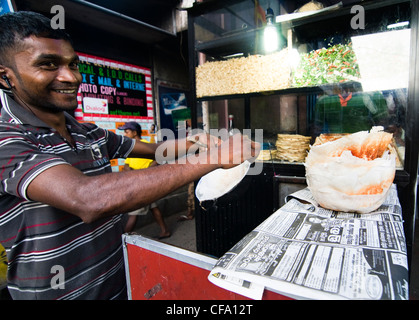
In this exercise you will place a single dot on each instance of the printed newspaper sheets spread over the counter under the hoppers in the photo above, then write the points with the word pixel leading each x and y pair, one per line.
pixel 304 251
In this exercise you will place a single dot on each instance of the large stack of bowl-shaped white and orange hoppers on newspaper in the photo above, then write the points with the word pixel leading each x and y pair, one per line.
pixel 351 173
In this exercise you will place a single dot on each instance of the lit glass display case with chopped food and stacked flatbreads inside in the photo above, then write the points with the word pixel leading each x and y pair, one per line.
pixel 306 72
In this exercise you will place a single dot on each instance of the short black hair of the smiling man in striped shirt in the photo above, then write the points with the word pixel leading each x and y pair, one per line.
pixel 16 26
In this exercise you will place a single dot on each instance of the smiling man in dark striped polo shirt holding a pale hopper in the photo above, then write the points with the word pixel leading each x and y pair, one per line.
pixel 60 203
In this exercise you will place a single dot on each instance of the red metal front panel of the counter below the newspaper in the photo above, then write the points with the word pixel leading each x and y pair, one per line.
pixel 158 271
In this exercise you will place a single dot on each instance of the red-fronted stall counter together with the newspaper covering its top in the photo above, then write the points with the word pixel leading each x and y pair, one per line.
pixel 302 251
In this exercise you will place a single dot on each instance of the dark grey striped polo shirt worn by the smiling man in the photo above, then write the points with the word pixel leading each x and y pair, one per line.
pixel 41 240
